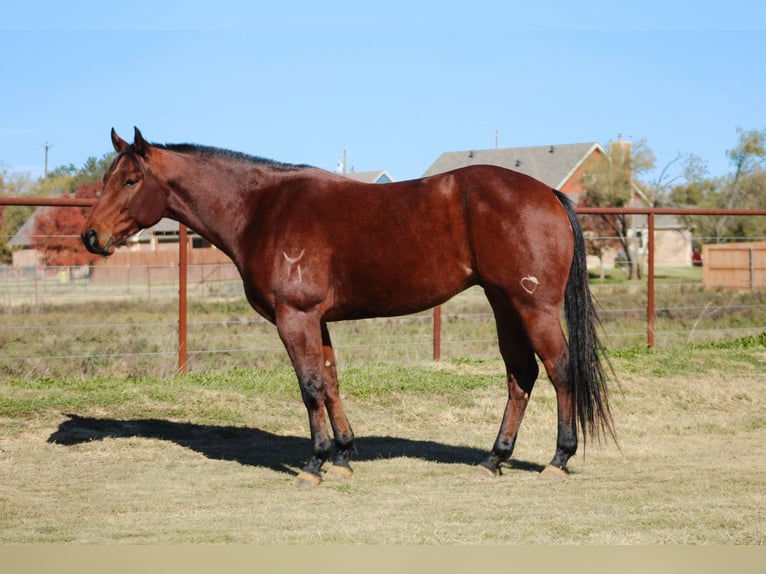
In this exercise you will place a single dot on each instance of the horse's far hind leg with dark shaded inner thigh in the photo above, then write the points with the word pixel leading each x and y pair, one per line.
pixel 521 372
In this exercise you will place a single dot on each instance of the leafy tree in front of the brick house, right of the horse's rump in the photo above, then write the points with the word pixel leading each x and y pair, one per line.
pixel 610 182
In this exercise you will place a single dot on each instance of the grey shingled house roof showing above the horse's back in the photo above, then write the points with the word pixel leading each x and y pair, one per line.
pixel 551 164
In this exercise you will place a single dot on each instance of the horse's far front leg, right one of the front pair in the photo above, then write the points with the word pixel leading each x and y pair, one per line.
pixel 344 436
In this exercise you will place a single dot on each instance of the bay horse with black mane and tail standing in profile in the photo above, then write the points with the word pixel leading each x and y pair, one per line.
pixel 314 247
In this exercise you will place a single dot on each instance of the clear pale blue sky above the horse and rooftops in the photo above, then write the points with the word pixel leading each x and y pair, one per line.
pixel 394 84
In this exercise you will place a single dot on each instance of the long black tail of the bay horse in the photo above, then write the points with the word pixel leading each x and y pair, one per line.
pixel 585 371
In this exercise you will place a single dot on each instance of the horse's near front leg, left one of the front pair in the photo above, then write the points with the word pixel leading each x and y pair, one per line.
pixel 301 334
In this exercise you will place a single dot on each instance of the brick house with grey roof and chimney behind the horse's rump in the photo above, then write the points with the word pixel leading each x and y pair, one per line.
pixel 564 167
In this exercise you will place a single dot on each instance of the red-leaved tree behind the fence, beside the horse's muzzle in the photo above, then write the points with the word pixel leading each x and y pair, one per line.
pixel 57 232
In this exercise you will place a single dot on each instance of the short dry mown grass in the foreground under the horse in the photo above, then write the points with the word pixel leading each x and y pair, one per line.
pixel 211 457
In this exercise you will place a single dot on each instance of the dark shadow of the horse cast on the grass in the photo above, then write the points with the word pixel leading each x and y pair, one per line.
pixel 256 447
